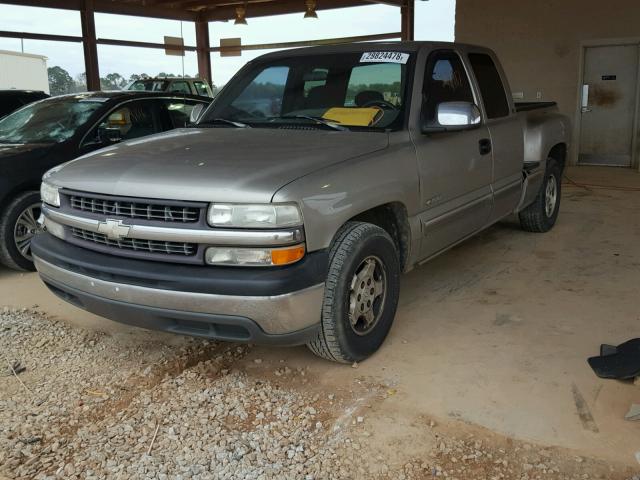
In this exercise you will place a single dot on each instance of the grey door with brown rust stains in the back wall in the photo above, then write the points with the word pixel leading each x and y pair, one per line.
pixel 608 105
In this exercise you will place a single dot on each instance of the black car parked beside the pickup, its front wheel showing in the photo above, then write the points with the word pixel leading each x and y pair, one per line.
pixel 42 135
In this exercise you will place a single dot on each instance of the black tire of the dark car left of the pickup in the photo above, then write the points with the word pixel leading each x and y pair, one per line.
pixel 10 254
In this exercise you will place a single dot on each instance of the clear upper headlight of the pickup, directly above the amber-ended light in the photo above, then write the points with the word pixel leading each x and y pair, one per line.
pixel 253 216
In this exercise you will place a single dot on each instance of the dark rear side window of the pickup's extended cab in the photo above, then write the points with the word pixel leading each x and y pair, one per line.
pixel 493 93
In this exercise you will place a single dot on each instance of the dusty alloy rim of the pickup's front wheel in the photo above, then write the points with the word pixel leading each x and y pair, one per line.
pixel 367 295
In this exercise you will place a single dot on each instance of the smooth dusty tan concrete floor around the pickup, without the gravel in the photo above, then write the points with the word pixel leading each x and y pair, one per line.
pixel 497 331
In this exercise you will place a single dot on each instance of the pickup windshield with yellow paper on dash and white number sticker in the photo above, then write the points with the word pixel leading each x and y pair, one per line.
pixel 354 90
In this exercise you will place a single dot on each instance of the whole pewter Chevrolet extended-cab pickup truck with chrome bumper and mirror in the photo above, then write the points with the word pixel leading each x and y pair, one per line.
pixel 286 214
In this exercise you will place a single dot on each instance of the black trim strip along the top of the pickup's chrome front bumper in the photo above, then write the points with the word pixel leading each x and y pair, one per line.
pixel 310 271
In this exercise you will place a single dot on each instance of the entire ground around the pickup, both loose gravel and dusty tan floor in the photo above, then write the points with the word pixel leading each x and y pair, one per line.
pixel 484 374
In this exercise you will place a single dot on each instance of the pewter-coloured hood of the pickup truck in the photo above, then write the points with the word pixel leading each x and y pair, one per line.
pixel 212 164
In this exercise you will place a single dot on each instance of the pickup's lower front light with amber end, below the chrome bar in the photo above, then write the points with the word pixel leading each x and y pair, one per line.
pixel 254 257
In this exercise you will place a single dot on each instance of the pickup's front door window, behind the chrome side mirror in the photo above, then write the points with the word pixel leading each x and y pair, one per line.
pixel 446 81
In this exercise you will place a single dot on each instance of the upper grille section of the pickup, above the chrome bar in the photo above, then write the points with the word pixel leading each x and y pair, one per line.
pixel 139 209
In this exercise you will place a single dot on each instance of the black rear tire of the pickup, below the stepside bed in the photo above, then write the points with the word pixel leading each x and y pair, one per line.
pixel 539 217
